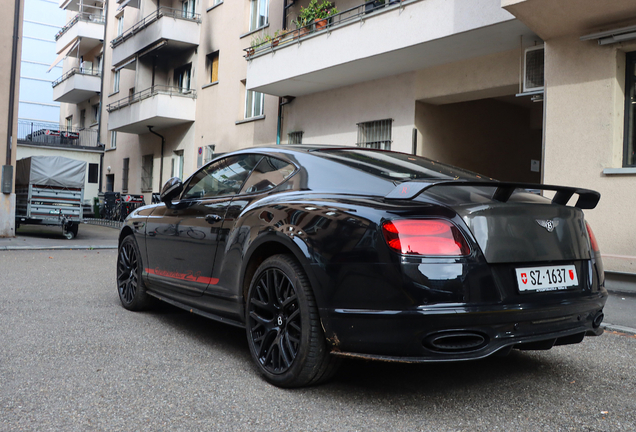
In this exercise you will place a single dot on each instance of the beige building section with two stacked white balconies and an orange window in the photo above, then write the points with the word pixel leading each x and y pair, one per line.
pixel 174 89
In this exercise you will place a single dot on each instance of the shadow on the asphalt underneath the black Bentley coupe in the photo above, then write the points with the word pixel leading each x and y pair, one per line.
pixel 376 381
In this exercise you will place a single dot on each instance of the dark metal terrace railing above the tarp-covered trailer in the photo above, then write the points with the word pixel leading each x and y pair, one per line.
pixel 56 135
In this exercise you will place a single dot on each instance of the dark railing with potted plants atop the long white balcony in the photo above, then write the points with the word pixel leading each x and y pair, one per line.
pixel 356 13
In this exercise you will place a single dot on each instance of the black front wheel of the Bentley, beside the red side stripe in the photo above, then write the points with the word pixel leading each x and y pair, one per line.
pixel 130 285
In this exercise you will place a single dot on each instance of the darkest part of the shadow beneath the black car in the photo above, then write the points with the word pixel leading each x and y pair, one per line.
pixel 364 377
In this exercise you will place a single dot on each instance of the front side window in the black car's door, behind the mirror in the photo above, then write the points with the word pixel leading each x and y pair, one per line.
pixel 225 177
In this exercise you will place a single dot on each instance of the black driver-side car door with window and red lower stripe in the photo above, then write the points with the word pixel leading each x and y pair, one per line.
pixel 182 238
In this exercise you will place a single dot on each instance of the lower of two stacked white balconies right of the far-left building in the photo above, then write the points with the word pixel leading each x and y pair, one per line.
pixel 158 106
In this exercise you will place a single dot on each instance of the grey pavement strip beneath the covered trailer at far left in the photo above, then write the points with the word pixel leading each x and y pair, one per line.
pixel 37 237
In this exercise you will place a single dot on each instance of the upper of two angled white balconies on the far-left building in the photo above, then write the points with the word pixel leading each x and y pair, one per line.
pixel 87 27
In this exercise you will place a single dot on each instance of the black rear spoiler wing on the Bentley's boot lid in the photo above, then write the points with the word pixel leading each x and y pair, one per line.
pixel 588 199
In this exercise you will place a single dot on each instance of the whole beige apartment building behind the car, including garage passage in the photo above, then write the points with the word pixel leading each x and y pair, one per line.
pixel 520 90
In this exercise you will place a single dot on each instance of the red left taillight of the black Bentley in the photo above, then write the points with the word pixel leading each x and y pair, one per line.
pixel 434 237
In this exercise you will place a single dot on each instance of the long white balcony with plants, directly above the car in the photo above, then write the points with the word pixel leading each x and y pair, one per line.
pixel 362 44
